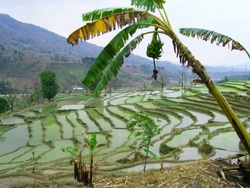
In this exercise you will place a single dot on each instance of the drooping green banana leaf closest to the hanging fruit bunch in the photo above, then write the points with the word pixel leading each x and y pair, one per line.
pixel 113 68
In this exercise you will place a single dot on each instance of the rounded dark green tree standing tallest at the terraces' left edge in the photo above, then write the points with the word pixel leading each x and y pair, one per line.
pixel 49 87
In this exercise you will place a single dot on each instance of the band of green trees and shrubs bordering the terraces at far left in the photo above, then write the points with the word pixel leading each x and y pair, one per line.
pixel 12 98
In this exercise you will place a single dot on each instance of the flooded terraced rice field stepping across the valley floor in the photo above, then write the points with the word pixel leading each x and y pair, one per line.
pixel 36 136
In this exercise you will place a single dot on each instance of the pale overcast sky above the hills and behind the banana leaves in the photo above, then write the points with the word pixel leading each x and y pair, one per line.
pixel 229 17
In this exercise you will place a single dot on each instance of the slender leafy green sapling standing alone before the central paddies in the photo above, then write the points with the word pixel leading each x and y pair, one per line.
pixel 148 129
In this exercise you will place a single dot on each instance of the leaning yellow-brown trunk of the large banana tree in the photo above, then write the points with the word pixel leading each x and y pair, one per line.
pixel 186 56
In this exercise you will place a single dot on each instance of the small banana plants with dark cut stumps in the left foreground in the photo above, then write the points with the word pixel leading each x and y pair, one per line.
pixel 80 169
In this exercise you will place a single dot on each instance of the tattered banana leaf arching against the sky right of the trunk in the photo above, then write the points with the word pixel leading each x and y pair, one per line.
pixel 212 36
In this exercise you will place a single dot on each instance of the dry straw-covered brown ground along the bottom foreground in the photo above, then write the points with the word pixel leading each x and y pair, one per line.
pixel 194 174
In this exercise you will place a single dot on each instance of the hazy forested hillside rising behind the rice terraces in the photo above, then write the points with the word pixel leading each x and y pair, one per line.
pixel 26 50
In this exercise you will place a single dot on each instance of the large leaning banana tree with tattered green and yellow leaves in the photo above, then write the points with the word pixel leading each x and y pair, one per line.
pixel 139 19
